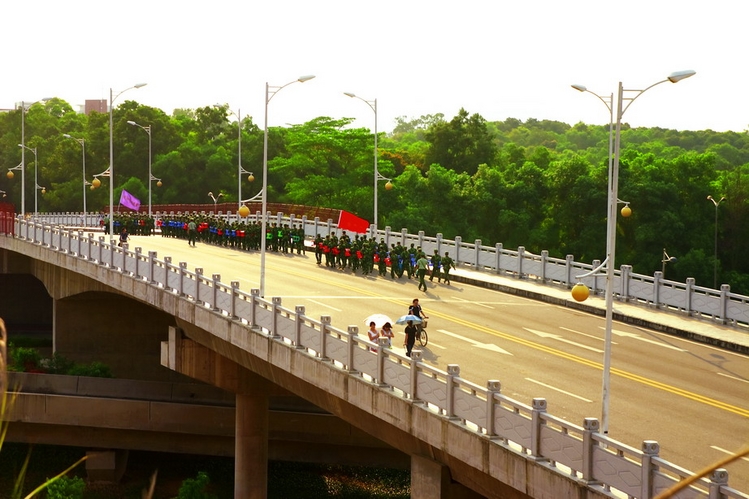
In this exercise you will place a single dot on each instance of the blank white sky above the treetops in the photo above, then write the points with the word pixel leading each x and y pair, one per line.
pixel 497 58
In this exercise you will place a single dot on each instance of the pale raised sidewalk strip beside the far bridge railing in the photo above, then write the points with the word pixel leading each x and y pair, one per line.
pixel 671 322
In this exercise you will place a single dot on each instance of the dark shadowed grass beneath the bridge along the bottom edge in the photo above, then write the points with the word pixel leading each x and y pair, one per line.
pixel 284 479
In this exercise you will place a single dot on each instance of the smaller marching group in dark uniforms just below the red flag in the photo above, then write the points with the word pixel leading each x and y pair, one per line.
pixel 368 256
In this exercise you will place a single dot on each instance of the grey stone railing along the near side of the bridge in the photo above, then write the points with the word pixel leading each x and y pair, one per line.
pixel 581 453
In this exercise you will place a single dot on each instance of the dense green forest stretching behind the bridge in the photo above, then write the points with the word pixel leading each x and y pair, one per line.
pixel 538 184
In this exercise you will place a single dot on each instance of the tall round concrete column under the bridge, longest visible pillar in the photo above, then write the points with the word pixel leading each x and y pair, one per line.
pixel 251 445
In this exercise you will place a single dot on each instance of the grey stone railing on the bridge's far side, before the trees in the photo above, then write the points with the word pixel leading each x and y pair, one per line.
pixel 720 305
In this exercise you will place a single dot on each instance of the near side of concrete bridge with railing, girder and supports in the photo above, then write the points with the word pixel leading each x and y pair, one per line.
pixel 463 439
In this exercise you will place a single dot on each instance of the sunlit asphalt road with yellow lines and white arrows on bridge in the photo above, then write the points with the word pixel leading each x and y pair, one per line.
pixel 691 398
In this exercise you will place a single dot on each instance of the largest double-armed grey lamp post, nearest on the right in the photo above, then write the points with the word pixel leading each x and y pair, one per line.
pixel 613 202
